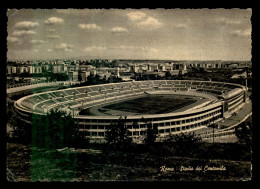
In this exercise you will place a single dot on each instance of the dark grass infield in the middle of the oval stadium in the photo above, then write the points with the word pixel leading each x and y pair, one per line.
pixel 152 104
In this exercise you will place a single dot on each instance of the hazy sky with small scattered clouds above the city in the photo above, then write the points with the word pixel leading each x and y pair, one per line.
pixel 172 34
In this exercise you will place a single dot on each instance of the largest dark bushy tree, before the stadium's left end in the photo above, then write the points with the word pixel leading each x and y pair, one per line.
pixel 55 130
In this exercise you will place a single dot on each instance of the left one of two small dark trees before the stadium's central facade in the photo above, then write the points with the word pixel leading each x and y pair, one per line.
pixel 117 134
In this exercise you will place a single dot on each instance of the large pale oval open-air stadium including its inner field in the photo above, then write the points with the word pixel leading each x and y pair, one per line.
pixel 175 106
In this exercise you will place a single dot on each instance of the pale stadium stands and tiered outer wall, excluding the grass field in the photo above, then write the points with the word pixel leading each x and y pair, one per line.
pixel 223 100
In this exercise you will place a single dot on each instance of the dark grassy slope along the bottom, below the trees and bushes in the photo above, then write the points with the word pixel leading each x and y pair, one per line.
pixel 85 166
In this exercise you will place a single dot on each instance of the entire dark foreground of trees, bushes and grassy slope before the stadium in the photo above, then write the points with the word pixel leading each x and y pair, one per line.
pixel 52 154
